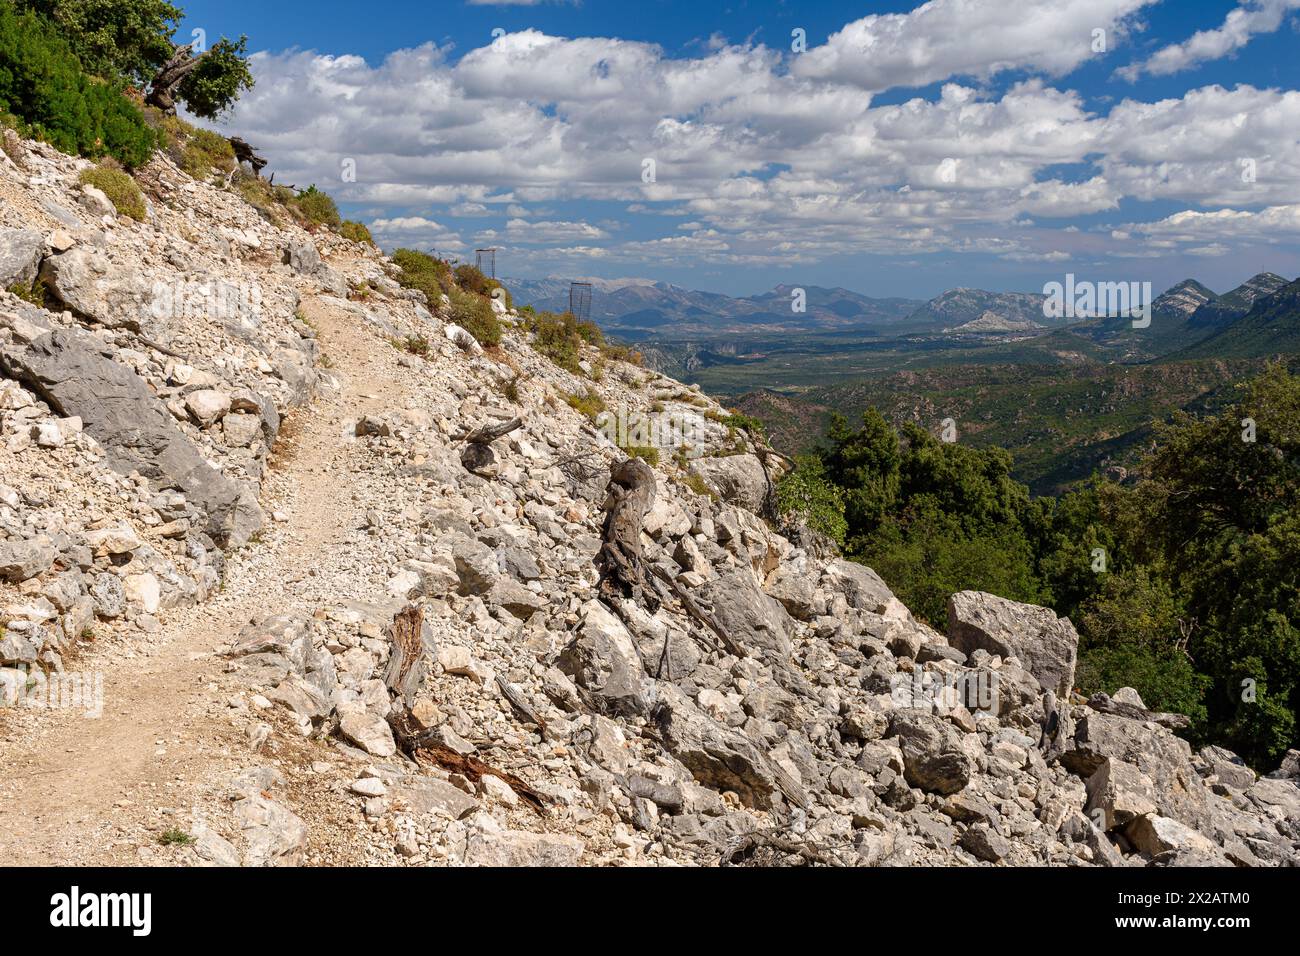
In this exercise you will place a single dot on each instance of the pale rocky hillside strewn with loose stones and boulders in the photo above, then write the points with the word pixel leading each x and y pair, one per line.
pixel 313 578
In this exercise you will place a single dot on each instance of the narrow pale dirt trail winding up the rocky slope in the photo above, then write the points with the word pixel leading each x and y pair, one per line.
pixel 81 791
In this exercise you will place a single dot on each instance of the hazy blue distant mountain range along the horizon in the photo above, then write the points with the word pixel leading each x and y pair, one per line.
pixel 691 330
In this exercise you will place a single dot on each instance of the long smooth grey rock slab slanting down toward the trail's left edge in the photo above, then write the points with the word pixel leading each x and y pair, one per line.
pixel 79 379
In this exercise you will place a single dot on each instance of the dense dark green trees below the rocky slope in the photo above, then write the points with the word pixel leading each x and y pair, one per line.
pixel 1182 583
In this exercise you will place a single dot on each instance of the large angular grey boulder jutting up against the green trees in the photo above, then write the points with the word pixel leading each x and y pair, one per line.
pixel 1046 646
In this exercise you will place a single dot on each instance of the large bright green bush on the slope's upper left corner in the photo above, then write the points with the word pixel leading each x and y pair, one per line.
pixel 44 85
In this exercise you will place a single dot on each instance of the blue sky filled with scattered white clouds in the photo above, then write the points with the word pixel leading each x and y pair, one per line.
pixel 905 150
